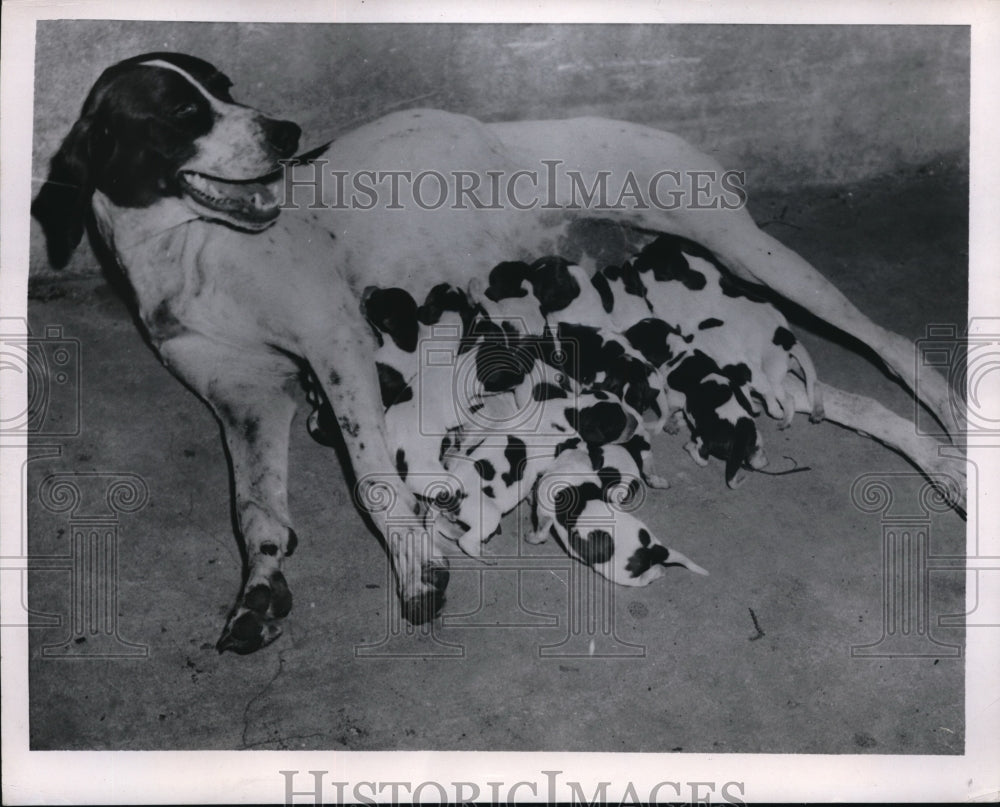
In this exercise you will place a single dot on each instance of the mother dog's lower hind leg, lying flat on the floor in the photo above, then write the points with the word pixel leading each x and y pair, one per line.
pixel 870 418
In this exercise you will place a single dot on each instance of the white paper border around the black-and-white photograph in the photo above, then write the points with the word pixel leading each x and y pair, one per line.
pixel 253 776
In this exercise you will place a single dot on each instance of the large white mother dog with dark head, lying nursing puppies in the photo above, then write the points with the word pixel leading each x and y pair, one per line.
pixel 239 298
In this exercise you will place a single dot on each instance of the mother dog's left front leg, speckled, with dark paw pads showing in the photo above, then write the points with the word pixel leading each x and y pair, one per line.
pixel 250 395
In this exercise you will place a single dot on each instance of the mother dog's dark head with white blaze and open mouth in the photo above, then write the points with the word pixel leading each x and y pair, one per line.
pixel 163 125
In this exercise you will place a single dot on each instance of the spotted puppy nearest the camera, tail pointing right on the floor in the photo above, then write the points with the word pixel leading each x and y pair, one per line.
pixel 581 501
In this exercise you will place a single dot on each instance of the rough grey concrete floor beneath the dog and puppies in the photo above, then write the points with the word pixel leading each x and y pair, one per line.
pixel 754 658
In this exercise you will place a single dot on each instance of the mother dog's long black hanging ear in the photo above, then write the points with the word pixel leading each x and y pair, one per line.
pixel 63 203
